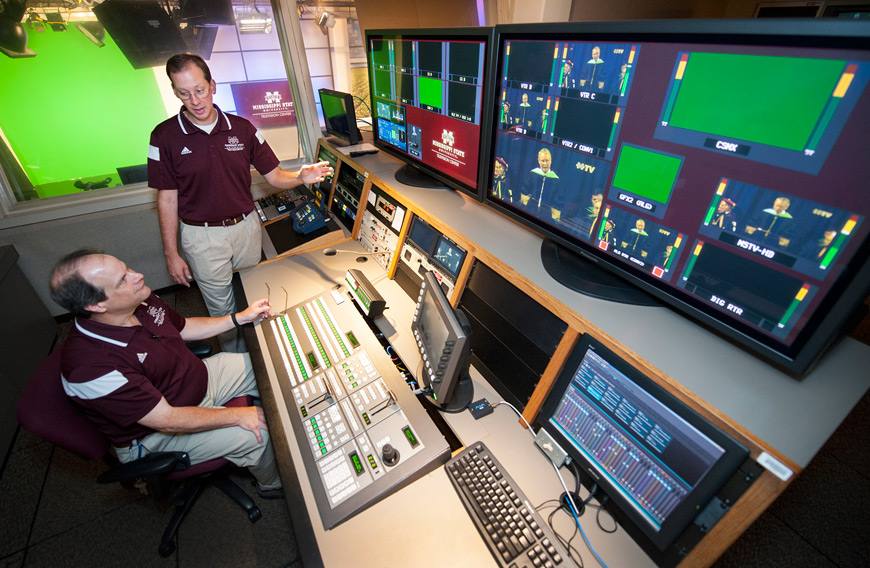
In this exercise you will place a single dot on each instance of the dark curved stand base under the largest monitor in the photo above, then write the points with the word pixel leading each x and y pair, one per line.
pixel 583 275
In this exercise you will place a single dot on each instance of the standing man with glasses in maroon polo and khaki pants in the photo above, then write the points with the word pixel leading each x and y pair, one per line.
pixel 200 163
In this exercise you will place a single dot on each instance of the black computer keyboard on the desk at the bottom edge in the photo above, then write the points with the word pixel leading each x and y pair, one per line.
pixel 511 527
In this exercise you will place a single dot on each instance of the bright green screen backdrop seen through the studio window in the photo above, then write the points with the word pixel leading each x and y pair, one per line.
pixel 76 110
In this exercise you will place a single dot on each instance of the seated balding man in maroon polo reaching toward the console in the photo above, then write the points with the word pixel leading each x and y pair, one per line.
pixel 126 365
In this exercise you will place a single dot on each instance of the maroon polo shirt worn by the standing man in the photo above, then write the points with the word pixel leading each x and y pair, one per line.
pixel 212 172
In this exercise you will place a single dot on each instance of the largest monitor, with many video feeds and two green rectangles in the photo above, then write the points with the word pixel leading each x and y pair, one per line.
pixel 718 165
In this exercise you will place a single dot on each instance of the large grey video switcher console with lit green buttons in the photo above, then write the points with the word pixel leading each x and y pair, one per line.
pixel 362 432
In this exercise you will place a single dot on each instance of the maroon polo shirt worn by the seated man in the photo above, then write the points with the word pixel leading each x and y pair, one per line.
pixel 118 374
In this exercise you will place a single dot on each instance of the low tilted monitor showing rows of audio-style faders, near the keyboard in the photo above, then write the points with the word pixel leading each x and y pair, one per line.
pixel 656 459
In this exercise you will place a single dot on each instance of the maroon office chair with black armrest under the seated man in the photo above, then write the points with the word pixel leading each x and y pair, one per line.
pixel 45 410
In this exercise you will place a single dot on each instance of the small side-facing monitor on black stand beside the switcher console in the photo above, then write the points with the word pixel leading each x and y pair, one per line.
pixel 443 337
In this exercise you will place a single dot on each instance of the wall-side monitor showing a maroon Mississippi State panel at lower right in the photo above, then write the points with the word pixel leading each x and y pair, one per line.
pixel 428 92
